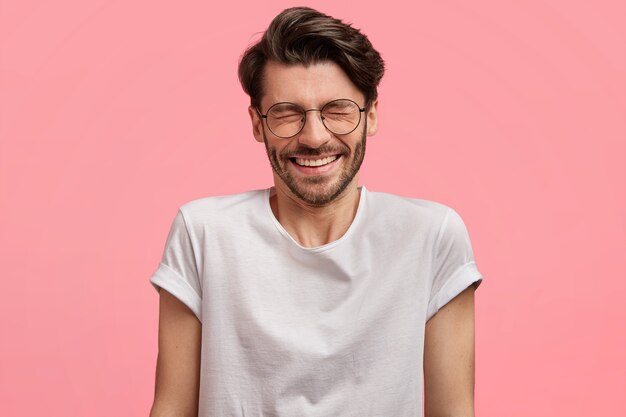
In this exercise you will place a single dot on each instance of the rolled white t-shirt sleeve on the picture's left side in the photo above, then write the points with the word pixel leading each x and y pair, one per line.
pixel 178 273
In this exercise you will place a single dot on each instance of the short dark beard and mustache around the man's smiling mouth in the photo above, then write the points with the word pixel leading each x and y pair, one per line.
pixel 318 190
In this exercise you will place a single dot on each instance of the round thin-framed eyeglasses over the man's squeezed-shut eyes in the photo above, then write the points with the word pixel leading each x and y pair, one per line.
pixel 285 120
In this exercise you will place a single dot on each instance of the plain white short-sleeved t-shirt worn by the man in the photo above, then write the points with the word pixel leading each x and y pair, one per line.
pixel 336 330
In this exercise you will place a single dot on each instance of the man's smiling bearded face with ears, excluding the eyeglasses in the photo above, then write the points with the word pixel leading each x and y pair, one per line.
pixel 312 87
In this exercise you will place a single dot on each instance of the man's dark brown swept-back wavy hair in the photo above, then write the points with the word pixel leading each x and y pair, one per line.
pixel 301 35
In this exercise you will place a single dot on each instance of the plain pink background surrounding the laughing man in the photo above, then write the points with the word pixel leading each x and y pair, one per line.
pixel 114 113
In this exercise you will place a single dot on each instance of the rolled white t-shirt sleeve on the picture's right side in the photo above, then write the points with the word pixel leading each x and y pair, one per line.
pixel 453 265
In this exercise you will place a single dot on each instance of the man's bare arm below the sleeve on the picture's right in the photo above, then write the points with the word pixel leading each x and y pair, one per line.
pixel 449 359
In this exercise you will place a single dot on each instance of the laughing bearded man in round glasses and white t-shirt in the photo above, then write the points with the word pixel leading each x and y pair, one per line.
pixel 315 297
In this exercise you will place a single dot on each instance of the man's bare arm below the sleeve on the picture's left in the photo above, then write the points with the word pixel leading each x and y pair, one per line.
pixel 178 363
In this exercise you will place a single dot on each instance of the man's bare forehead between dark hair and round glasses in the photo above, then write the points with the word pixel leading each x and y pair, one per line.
pixel 309 86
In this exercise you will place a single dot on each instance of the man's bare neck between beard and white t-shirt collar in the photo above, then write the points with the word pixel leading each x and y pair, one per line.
pixel 313 226
